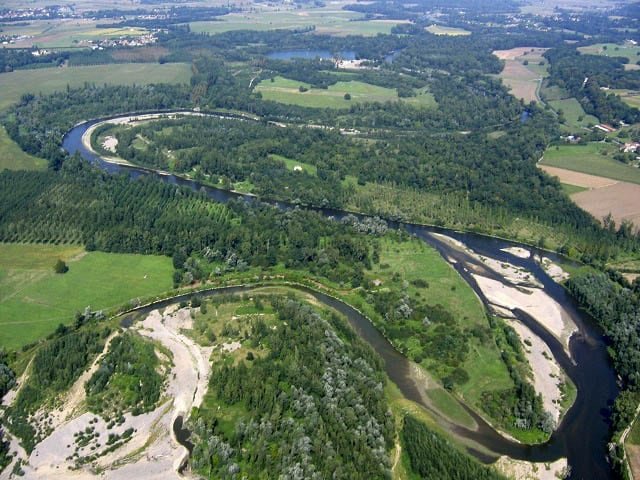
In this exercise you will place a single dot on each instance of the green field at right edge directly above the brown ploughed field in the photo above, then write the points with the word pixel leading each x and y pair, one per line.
pixel 590 159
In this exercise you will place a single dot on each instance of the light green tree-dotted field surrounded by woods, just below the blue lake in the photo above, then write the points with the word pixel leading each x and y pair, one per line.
pixel 287 91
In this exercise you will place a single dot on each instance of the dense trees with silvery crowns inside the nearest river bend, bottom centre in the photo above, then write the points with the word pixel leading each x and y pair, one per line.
pixel 312 407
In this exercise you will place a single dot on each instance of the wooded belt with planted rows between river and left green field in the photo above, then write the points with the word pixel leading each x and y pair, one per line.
pixel 83 205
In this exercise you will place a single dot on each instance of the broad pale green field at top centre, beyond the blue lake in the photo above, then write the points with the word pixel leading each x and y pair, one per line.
pixel 326 21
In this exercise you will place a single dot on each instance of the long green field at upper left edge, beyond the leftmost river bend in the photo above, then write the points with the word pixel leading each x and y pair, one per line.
pixel 48 80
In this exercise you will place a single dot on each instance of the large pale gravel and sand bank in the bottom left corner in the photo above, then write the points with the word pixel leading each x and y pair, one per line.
pixel 152 451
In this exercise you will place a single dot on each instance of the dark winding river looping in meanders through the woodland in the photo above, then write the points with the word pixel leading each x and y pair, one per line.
pixel 583 433
